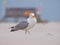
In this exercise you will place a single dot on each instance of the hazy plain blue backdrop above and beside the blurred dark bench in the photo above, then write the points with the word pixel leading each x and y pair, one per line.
pixel 50 8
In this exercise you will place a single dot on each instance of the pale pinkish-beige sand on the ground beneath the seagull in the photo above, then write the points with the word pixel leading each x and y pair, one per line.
pixel 41 34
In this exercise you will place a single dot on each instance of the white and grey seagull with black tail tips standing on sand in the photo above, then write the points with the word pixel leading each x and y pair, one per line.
pixel 25 25
